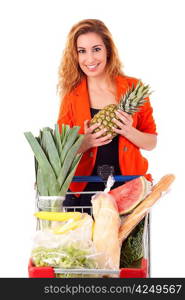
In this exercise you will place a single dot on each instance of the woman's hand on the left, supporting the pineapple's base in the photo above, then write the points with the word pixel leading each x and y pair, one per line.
pixel 93 139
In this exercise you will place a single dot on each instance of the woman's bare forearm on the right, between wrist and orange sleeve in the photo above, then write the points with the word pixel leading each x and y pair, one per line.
pixel 146 141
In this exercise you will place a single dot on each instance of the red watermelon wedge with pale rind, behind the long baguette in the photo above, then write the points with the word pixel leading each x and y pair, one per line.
pixel 130 194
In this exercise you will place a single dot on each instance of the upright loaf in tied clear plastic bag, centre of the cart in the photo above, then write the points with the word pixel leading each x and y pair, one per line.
pixel 106 229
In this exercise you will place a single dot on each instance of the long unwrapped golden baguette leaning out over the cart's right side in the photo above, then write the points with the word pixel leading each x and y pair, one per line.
pixel 140 211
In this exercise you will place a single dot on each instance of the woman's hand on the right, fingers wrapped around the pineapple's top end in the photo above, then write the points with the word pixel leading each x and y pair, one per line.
pixel 124 123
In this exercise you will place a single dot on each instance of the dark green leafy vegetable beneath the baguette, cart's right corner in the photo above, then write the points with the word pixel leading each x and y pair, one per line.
pixel 132 247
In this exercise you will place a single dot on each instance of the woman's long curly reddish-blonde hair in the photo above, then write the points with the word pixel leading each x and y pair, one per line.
pixel 70 73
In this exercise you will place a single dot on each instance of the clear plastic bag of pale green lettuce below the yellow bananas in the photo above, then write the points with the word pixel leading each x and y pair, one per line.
pixel 65 249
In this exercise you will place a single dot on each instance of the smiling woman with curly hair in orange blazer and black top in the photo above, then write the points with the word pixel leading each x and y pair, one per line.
pixel 90 77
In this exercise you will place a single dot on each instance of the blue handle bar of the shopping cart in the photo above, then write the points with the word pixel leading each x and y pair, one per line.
pixel 120 178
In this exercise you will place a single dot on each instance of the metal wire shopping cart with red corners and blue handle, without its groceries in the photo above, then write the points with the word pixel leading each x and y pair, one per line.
pixel 143 271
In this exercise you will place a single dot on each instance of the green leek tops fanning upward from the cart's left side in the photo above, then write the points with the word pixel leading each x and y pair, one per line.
pixel 56 158
